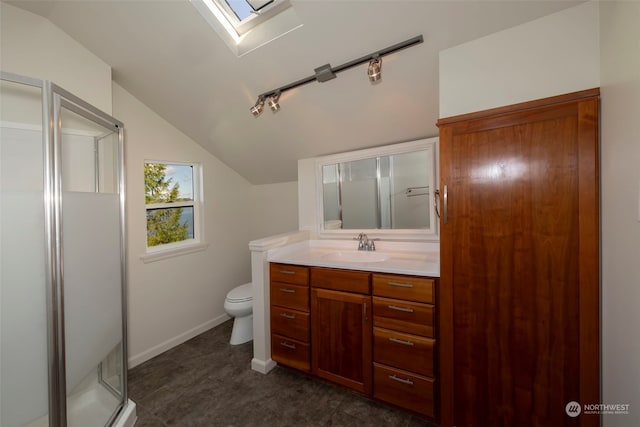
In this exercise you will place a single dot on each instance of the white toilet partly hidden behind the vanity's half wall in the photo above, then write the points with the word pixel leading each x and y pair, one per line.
pixel 239 304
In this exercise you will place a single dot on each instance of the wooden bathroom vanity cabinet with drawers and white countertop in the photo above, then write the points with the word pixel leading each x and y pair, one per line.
pixel 363 320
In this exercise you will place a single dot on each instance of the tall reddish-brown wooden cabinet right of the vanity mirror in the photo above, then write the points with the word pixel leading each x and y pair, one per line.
pixel 519 287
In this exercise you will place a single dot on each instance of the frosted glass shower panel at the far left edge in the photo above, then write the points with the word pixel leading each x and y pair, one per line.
pixel 24 395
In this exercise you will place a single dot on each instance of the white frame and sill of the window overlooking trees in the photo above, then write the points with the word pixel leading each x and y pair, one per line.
pixel 190 245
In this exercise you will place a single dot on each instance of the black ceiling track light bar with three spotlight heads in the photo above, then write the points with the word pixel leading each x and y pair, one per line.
pixel 326 72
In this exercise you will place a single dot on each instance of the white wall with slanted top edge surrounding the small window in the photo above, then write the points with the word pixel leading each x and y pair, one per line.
pixel 175 299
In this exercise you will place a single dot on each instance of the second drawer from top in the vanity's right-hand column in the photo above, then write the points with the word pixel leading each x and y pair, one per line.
pixel 404 316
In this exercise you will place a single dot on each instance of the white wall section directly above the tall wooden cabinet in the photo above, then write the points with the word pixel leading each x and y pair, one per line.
pixel 550 56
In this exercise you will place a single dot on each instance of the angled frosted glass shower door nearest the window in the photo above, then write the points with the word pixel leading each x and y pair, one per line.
pixel 88 151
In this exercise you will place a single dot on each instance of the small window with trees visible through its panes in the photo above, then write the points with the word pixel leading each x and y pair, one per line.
pixel 172 204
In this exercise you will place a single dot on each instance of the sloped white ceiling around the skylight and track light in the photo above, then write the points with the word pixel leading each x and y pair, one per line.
pixel 167 55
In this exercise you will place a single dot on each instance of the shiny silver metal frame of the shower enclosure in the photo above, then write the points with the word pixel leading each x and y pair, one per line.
pixel 54 98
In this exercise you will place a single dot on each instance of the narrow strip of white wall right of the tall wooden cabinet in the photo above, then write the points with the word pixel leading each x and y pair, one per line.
pixel 620 147
